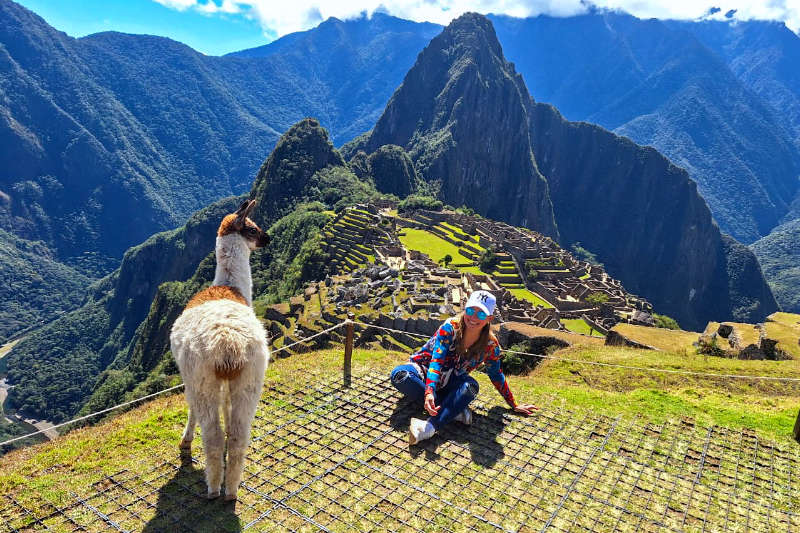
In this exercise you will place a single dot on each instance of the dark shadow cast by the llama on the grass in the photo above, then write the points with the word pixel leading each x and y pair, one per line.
pixel 182 505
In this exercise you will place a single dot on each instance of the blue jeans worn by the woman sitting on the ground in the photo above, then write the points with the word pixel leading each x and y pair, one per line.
pixel 451 399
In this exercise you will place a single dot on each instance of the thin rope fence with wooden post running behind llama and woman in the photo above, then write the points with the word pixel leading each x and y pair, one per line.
pixel 349 324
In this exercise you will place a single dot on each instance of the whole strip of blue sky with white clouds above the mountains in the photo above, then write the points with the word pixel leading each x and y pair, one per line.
pixel 216 27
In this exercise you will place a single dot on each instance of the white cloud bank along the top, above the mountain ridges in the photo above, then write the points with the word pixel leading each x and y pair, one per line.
pixel 282 17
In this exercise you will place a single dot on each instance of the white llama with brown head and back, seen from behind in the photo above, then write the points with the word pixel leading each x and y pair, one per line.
pixel 221 351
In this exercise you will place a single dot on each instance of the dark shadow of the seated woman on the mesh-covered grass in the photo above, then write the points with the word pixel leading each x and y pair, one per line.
pixel 480 437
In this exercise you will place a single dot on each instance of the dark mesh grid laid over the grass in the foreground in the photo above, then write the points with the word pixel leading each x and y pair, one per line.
pixel 334 459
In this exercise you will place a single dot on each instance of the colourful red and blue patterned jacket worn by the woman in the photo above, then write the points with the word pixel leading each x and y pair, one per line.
pixel 438 359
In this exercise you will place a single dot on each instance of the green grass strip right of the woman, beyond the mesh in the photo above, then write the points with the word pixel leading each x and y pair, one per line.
pixel 769 407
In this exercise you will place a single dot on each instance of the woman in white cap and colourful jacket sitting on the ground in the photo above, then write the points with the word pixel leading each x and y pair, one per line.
pixel 438 374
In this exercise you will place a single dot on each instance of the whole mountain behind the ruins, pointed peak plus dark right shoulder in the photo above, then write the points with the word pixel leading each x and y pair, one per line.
pixel 466 118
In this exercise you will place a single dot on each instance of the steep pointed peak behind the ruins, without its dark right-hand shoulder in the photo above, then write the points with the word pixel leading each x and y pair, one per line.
pixel 461 114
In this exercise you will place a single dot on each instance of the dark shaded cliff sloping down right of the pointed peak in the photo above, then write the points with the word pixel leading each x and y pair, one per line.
pixel 646 222
